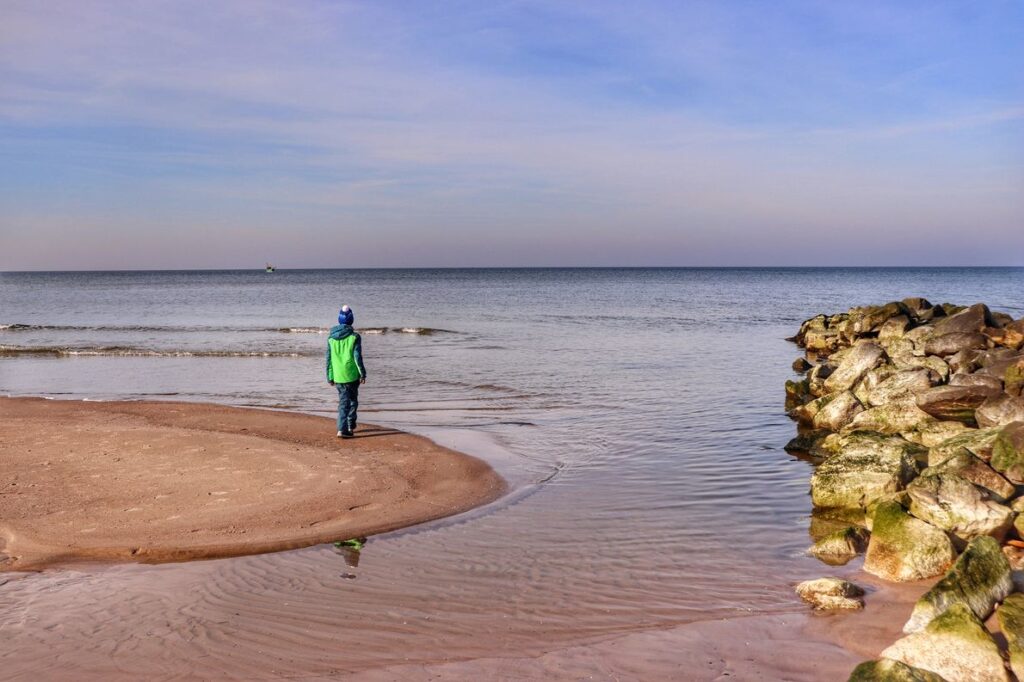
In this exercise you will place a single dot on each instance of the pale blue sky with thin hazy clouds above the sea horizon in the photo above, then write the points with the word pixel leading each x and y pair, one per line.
pixel 180 135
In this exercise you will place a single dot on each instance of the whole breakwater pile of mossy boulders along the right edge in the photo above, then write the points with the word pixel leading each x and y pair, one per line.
pixel 914 415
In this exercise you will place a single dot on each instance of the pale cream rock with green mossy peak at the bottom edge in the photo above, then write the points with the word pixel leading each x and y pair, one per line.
pixel 955 646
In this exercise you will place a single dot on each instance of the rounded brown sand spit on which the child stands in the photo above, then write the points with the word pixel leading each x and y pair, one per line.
pixel 170 482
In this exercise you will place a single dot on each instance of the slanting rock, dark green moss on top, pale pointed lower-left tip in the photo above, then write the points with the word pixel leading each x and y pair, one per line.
pixel 979 580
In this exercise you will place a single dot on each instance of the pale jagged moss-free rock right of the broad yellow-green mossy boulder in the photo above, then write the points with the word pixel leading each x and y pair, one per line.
pixel 950 502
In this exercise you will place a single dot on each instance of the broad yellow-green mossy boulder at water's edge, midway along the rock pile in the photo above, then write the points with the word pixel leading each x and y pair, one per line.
pixel 866 467
